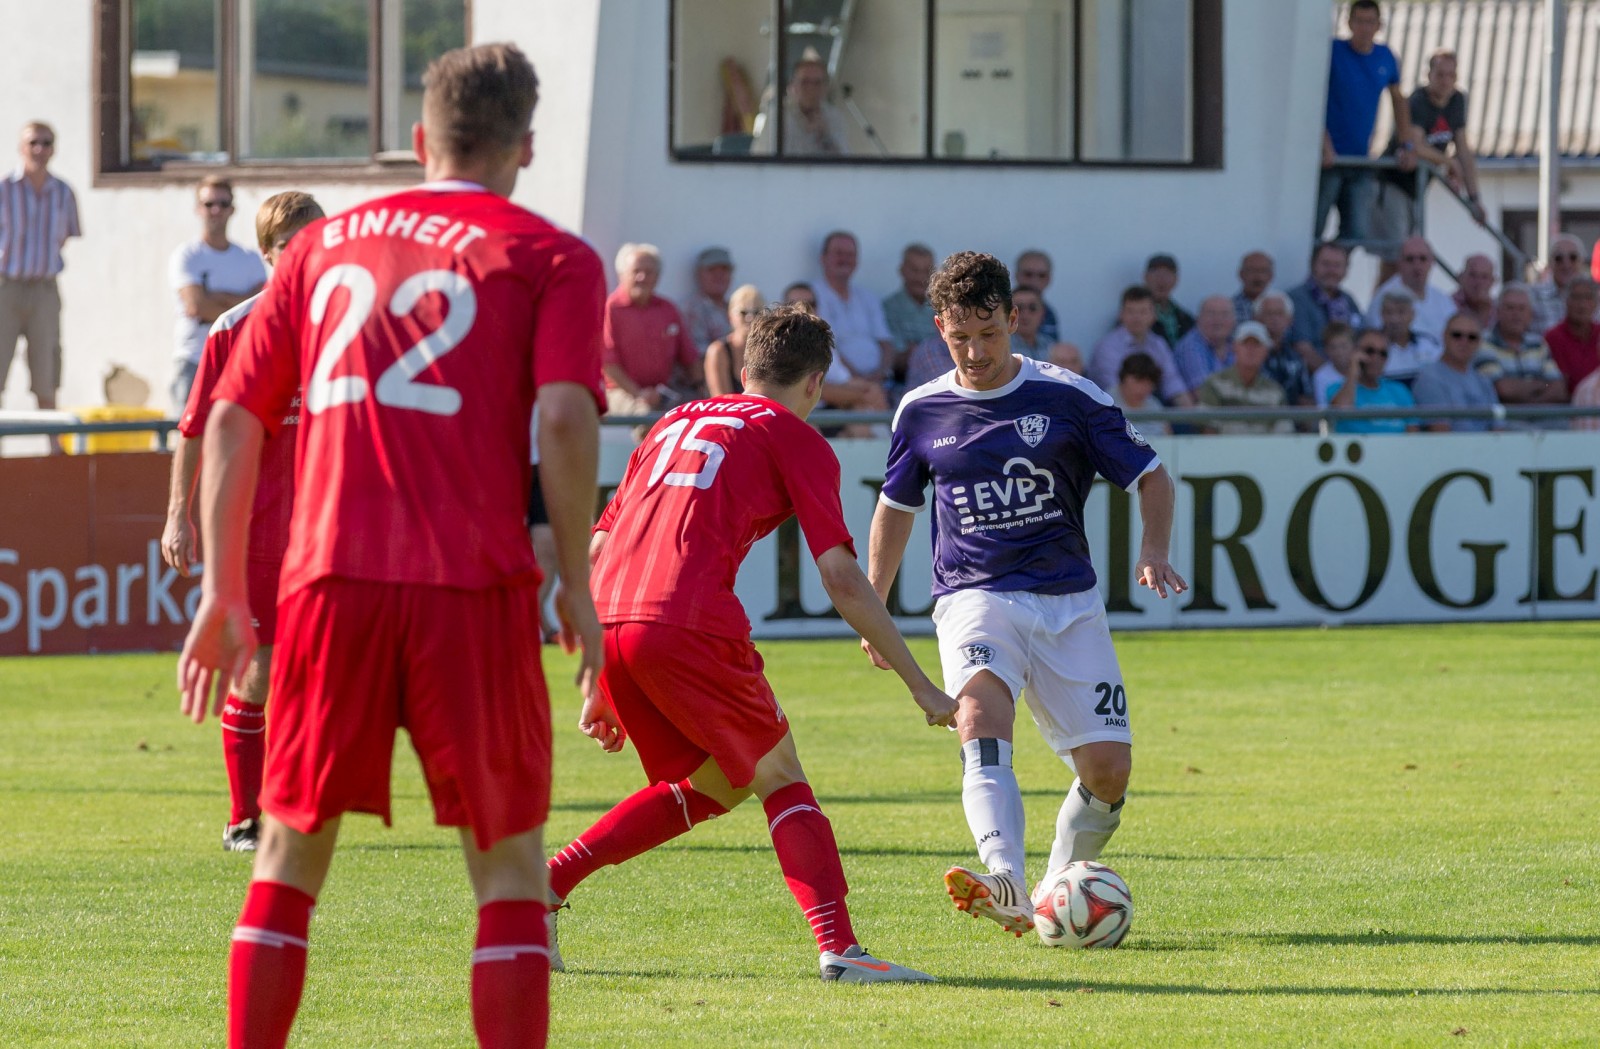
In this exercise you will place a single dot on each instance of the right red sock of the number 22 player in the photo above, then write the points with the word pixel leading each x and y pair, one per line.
pixel 511 976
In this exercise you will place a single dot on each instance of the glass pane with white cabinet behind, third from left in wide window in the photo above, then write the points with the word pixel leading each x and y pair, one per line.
pixel 1002 81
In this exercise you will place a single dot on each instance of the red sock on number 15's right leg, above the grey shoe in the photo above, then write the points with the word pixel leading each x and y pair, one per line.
pixel 809 856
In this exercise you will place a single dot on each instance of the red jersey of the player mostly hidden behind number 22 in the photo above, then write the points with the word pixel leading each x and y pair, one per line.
pixel 270 516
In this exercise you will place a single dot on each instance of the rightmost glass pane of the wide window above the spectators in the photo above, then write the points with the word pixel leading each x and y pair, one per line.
pixel 1138 81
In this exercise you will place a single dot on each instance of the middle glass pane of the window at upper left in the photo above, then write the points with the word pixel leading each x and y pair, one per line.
pixel 305 79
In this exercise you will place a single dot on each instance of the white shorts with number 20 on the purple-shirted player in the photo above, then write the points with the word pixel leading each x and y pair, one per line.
pixel 1052 648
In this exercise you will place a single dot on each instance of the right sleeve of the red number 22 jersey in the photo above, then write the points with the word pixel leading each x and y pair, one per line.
pixel 569 329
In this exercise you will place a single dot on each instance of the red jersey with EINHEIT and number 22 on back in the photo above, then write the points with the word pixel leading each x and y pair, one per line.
pixel 423 325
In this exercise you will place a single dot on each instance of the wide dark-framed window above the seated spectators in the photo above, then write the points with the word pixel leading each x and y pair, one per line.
pixel 1121 82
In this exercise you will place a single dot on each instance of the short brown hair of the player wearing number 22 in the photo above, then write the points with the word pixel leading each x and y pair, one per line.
pixel 479 102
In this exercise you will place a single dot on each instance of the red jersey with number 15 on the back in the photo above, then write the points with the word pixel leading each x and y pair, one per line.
pixel 710 481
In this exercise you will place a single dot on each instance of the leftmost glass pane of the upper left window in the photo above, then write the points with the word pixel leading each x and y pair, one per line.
pixel 174 110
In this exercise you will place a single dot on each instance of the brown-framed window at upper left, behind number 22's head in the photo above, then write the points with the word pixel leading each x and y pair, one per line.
pixel 266 84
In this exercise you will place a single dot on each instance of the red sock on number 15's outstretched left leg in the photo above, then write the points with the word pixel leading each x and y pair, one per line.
pixel 638 824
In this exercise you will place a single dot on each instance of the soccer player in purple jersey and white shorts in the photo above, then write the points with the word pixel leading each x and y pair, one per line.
pixel 1012 449
